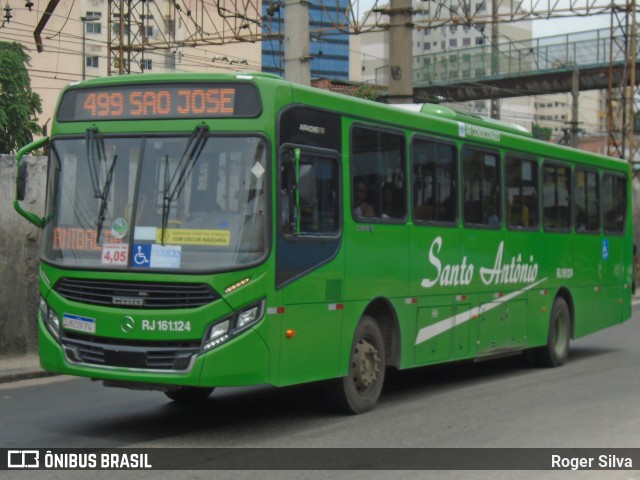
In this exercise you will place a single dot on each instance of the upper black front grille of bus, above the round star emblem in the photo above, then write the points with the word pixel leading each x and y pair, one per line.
pixel 139 295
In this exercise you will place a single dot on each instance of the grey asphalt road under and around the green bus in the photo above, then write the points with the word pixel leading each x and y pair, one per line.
pixel 593 401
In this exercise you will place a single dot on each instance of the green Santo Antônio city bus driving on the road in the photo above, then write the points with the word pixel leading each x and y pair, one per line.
pixel 206 230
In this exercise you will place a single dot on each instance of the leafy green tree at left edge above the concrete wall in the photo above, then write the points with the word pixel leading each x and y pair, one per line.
pixel 19 105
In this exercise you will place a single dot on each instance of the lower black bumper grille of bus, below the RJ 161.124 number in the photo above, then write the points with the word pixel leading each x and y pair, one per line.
pixel 177 356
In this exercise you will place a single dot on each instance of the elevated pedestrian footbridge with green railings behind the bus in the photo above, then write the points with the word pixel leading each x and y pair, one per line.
pixel 519 68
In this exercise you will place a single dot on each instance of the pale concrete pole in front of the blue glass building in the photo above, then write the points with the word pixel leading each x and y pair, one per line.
pixel 297 58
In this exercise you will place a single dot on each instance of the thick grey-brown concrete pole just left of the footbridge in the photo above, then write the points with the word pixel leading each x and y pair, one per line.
pixel 400 51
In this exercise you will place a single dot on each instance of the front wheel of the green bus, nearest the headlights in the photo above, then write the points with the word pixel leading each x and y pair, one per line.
pixel 359 391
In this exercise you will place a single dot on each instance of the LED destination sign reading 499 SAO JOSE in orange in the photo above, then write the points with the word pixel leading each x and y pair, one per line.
pixel 160 101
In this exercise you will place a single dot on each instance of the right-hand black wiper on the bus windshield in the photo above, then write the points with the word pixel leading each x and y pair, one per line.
pixel 173 187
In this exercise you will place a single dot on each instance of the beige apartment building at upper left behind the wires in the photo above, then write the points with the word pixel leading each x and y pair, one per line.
pixel 75 43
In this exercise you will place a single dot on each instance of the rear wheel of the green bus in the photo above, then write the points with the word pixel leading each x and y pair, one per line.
pixel 556 351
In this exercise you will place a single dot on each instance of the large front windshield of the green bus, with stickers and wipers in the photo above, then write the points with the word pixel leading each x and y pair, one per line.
pixel 143 202
